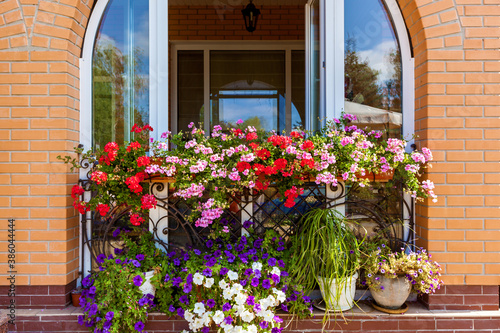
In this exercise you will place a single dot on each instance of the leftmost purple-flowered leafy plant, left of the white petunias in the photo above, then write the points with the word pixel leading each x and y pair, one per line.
pixel 112 299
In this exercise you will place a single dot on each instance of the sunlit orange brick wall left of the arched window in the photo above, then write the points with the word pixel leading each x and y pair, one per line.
pixel 40 45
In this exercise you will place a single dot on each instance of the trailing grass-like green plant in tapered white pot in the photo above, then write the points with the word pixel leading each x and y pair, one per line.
pixel 326 252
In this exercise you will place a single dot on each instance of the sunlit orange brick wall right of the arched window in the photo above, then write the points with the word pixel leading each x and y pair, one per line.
pixel 456 47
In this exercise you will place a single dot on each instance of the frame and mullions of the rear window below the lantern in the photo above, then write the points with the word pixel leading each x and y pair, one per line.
pixel 206 47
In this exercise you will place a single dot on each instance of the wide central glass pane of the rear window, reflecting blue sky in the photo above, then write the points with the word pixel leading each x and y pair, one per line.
pixel 248 85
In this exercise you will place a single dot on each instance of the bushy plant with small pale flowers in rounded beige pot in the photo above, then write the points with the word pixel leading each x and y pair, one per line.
pixel 392 276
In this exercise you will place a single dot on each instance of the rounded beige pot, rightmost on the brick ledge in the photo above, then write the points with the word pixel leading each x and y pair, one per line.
pixel 392 292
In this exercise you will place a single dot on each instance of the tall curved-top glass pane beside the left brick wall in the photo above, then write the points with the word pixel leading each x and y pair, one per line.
pixel 120 87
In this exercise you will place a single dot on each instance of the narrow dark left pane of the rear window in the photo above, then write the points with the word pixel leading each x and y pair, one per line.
pixel 189 88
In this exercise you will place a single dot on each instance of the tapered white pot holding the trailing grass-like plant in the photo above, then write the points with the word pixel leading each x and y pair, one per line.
pixel 339 300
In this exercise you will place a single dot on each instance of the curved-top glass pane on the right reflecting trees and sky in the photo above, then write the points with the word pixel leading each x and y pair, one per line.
pixel 372 66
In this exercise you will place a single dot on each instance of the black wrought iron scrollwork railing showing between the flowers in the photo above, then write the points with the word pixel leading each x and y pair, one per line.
pixel 376 208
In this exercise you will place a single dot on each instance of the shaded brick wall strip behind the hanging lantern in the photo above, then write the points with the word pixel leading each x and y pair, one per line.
pixel 226 23
